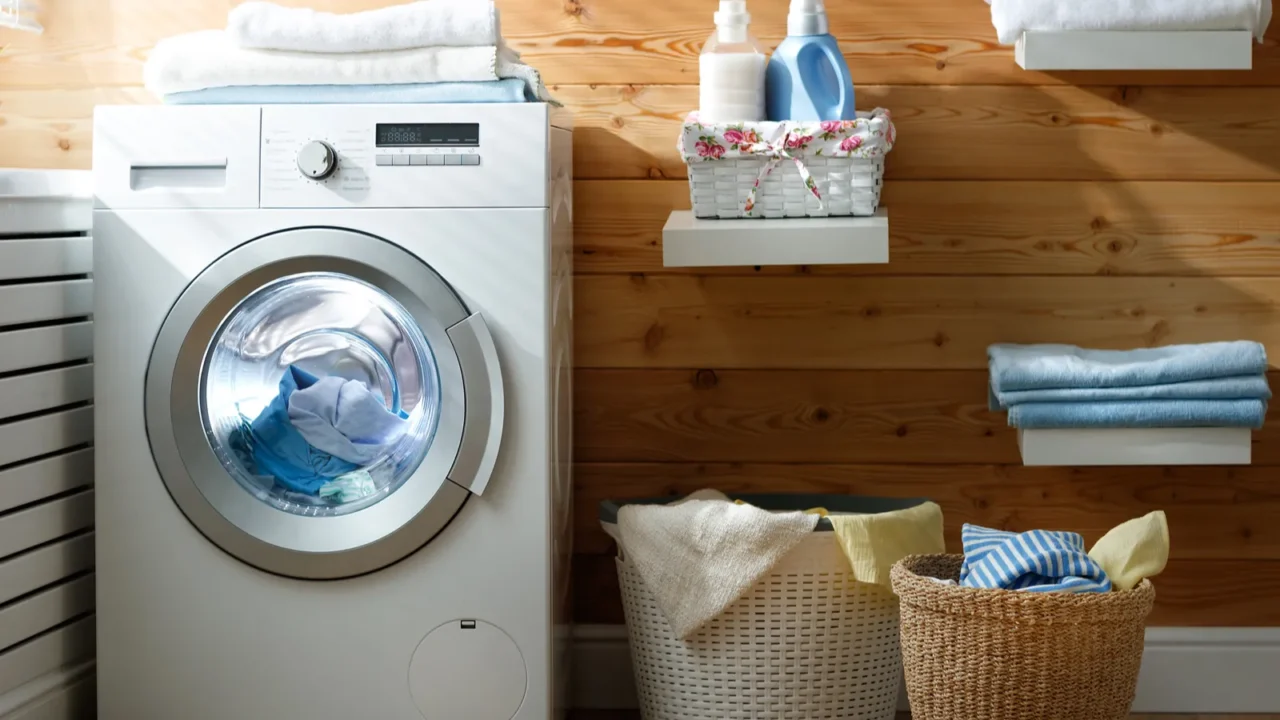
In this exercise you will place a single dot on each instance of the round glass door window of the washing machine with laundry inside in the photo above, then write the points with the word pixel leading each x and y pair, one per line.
pixel 321 394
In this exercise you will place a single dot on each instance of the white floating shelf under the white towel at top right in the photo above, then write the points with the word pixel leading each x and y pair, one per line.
pixel 1136 51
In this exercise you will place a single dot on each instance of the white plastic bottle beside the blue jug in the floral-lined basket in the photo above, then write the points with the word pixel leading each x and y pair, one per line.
pixel 732 70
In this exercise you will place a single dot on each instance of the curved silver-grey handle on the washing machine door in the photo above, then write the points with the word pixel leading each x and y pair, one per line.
pixel 486 404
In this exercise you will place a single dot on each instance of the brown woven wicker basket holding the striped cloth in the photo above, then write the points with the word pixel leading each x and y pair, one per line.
pixel 1003 655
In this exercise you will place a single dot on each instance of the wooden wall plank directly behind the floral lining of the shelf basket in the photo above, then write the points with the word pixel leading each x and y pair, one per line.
pixel 984 133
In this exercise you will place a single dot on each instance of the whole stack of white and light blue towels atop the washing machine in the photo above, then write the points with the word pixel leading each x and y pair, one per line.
pixel 427 52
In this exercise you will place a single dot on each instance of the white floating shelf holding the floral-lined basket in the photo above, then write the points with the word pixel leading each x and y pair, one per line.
pixel 705 243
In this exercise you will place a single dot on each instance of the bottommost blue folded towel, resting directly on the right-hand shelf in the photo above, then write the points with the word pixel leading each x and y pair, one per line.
pixel 1141 414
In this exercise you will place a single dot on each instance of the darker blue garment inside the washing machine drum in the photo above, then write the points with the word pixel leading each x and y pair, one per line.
pixel 280 449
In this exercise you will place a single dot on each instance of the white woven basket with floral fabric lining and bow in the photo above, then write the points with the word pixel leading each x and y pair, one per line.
pixel 787 170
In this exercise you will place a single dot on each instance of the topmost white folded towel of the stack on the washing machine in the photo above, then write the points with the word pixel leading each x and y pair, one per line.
pixel 429 24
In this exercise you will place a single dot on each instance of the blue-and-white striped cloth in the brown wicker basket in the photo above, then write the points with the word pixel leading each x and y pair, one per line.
pixel 1034 562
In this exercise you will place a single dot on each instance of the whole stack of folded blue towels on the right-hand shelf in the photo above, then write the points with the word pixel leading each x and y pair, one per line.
pixel 1217 385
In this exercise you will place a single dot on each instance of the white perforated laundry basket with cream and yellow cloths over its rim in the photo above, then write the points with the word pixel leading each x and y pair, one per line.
pixel 808 642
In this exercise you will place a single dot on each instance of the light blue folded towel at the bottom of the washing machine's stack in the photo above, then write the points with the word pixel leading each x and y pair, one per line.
pixel 508 90
